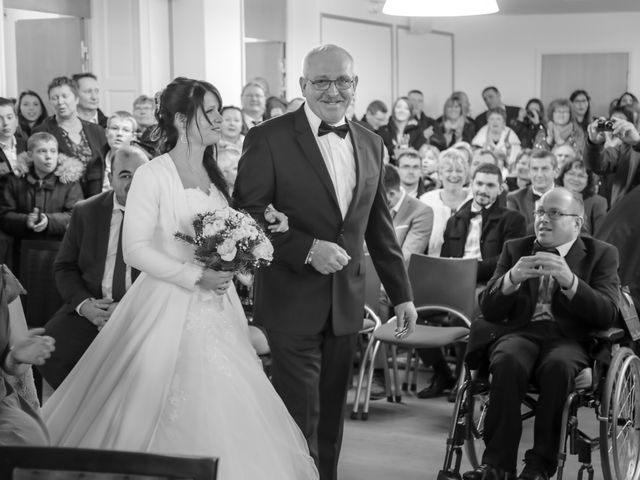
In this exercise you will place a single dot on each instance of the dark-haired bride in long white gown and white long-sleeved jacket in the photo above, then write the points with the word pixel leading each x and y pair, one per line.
pixel 173 370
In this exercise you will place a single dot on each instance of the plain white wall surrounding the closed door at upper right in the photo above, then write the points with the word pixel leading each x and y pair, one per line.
pixel 506 50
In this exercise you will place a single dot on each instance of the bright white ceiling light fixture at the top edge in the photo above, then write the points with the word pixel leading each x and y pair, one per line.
pixel 439 8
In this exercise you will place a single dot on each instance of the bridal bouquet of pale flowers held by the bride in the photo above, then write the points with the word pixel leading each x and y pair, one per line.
pixel 229 240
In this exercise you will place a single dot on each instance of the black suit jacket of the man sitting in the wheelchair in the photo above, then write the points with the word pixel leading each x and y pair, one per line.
pixel 593 307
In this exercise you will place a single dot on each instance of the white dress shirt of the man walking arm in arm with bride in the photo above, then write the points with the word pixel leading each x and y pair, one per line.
pixel 339 159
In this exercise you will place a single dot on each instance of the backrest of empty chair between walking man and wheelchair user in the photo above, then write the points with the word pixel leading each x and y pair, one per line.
pixel 448 282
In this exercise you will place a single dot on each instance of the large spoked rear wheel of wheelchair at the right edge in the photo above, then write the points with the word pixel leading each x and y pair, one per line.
pixel 620 418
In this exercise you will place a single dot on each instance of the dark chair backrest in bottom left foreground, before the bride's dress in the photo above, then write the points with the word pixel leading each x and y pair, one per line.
pixel 23 463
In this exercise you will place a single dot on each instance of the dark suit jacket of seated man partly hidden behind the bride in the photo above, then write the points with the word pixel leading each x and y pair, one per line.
pixel 79 265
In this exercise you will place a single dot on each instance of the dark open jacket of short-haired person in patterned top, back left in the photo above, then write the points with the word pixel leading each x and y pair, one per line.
pixel 94 174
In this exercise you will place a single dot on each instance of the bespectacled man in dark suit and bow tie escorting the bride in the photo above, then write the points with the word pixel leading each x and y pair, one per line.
pixel 325 174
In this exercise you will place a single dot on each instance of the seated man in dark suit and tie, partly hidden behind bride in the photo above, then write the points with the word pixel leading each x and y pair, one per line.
pixel 90 273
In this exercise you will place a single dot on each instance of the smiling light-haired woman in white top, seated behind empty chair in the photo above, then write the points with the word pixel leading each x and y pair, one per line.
pixel 453 171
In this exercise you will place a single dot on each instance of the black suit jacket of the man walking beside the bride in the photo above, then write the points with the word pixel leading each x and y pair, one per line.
pixel 282 164
